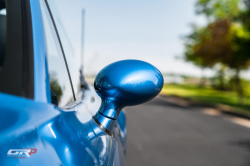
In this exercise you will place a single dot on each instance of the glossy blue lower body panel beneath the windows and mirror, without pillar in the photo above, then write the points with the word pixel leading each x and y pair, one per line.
pixel 59 136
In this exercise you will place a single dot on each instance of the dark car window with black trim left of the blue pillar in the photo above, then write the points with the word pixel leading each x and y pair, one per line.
pixel 16 67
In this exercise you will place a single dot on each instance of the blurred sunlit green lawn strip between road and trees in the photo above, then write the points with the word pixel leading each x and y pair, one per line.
pixel 207 95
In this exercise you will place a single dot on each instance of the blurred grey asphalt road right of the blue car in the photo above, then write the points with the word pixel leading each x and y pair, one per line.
pixel 167 134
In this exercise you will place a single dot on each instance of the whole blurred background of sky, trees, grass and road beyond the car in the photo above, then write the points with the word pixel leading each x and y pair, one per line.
pixel 202 48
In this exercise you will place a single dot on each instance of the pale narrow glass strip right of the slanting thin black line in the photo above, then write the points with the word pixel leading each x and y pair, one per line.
pixel 72 59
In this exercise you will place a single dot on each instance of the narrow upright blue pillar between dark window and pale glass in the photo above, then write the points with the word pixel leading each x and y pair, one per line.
pixel 41 75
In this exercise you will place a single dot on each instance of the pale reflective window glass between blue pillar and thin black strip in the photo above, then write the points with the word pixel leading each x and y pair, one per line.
pixel 59 78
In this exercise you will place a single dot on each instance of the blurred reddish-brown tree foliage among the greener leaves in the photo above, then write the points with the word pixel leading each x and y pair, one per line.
pixel 209 45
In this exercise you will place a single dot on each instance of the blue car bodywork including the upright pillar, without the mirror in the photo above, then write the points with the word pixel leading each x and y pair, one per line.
pixel 62 136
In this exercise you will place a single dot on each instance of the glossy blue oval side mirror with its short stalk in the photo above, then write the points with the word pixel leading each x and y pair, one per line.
pixel 124 83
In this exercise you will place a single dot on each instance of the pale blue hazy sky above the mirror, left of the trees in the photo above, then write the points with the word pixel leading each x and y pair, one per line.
pixel 148 30
